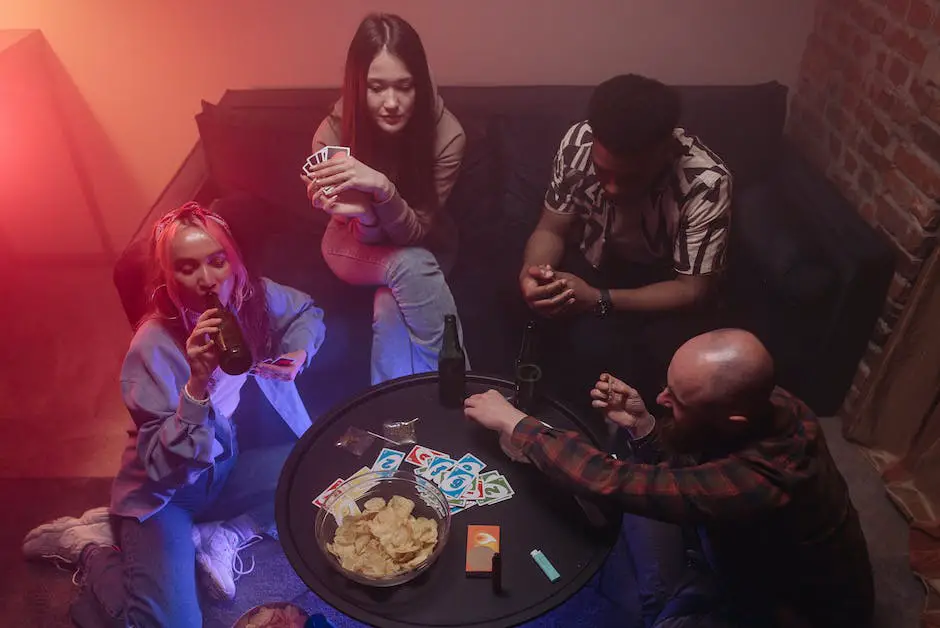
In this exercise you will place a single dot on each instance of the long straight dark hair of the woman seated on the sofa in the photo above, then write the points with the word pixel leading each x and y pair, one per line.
pixel 415 151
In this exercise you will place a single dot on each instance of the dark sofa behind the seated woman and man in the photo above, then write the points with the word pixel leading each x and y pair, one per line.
pixel 806 273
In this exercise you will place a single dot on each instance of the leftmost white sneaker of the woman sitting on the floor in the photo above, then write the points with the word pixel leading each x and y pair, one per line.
pixel 66 537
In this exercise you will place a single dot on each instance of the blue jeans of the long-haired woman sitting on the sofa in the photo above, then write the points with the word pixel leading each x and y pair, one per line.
pixel 410 304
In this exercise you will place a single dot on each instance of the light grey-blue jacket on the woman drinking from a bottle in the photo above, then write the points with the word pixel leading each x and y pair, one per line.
pixel 174 440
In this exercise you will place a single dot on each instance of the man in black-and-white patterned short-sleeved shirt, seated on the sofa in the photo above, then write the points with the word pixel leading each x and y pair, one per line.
pixel 631 238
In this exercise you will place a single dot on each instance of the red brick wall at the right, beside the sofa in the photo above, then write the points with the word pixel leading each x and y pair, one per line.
pixel 866 111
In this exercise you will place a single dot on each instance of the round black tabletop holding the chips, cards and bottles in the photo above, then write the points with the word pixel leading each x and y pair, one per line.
pixel 540 516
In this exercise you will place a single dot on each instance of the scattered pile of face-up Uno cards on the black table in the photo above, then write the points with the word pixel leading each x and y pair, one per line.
pixel 462 481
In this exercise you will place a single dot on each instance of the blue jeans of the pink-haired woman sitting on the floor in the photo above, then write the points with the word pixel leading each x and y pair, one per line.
pixel 151 581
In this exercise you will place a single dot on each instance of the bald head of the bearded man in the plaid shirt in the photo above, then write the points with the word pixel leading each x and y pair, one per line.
pixel 730 368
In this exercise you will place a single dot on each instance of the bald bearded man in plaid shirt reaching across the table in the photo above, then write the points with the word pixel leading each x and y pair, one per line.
pixel 742 461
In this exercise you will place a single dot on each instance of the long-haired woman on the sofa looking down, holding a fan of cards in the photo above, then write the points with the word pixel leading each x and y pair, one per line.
pixel 386 199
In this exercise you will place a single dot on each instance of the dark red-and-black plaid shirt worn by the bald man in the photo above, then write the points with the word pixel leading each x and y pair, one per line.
pixel 775 516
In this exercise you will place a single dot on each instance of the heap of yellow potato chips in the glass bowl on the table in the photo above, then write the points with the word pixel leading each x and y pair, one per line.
pixel 385 539
